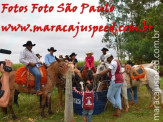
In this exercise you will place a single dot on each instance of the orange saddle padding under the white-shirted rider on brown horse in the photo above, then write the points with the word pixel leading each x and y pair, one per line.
pixel 26 78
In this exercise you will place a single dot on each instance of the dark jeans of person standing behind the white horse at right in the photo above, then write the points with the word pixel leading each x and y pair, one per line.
pixel 135 94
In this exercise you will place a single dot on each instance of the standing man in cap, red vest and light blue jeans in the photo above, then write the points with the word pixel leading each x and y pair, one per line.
pixel 116 83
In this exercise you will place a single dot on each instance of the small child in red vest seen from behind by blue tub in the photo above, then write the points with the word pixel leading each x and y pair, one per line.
pixel 87 102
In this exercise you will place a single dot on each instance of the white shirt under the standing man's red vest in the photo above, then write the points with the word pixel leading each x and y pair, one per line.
pixel 113 66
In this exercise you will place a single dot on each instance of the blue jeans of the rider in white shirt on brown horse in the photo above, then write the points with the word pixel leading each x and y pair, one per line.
pixel 34 70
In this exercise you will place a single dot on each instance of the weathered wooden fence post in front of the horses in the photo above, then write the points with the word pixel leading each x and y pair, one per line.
pixel 69 112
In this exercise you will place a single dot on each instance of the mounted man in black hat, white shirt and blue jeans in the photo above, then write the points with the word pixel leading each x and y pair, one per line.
pixel 29 58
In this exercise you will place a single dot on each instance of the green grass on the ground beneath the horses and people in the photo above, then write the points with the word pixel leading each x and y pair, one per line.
pixel 29 111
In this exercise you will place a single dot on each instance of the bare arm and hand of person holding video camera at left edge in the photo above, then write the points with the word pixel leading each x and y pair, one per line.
pixel 5 89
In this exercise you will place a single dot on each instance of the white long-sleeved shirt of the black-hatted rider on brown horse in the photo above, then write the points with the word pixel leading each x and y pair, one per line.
pixel 27 56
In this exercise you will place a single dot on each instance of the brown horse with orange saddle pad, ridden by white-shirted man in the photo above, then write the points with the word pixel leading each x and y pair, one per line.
pixel 55 72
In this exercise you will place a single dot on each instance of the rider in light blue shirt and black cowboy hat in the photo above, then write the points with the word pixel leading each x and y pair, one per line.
pixel 50 58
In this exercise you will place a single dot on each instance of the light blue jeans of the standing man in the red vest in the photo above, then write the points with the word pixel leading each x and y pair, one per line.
pixel 114 94
